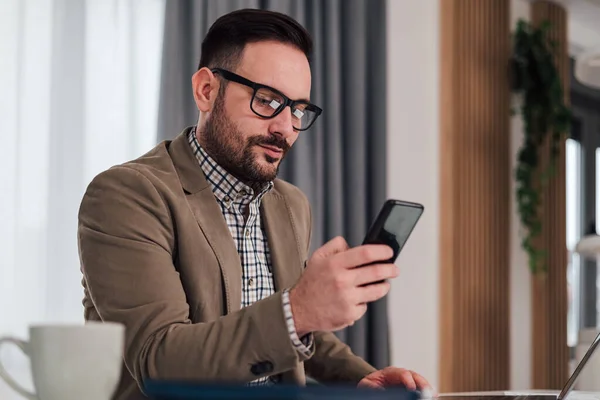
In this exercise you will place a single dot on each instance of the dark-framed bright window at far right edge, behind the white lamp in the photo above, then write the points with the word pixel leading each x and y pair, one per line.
pixel 583 210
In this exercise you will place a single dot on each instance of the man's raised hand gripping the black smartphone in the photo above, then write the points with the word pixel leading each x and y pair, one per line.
pixel 332 293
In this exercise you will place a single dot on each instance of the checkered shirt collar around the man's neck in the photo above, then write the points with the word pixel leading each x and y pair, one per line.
pixel 225 186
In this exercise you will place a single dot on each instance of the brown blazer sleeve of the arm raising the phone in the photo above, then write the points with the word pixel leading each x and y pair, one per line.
pixel 126 243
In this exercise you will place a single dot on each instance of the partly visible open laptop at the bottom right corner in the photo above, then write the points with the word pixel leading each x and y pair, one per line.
pixel 566 390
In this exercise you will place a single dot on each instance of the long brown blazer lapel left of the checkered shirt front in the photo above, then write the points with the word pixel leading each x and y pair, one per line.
pixel 210 219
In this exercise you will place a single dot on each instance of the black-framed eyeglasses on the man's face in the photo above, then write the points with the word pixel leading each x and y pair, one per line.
pixel 267 102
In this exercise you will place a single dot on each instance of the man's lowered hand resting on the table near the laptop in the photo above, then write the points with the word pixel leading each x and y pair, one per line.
pixel 392 376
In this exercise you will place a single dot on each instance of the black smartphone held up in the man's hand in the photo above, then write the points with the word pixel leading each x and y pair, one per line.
pixel 394 224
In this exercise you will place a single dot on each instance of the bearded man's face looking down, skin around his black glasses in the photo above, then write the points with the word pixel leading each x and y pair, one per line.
pixel 248 146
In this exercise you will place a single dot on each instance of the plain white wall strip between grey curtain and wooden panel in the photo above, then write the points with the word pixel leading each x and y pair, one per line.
pixel 413 169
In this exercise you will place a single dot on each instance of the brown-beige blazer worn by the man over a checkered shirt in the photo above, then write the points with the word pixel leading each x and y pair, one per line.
pixel 157 256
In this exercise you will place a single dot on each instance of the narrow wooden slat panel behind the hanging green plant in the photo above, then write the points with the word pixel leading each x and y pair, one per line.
pixel 550 355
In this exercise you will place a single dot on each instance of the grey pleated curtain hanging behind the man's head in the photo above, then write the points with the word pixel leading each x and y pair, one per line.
pixel 340 163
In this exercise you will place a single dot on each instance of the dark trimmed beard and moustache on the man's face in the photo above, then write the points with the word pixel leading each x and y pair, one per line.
pixel 233 150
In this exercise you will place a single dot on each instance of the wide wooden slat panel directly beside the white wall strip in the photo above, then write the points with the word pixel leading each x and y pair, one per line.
pixel 475 197
